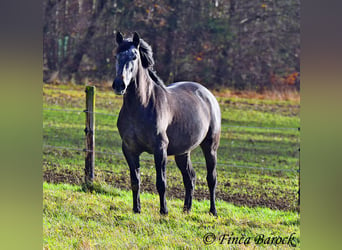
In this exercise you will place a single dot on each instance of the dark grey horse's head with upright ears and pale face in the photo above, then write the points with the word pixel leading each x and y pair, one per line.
pixel 127 56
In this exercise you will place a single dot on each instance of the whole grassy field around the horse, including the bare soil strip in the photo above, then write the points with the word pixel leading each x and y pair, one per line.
pixel 257 179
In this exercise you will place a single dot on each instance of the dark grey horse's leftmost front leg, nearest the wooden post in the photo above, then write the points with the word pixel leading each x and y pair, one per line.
pixel 134 167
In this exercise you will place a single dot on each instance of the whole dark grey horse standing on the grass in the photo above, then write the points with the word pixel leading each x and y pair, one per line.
pixel 163 121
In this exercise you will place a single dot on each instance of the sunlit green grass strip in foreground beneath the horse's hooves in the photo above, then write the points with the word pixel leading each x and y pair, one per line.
pixel 78 220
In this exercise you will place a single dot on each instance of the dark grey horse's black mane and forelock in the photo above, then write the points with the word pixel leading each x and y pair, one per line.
pixel 146 57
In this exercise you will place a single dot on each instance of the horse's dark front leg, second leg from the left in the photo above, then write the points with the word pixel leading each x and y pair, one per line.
pixel 160 159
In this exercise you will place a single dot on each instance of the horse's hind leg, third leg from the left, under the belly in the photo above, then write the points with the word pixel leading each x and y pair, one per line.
pixel 189 178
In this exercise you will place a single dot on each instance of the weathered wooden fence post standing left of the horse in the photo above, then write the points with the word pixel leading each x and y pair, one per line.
pixel 90 136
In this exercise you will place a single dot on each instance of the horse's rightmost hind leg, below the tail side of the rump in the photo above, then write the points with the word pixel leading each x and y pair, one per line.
pixel 209 147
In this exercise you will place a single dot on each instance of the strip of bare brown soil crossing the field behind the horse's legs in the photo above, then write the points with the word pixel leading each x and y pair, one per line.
pixel 251 196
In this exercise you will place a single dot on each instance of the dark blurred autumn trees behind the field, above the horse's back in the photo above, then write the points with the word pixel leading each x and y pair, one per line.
pixel 241 44
